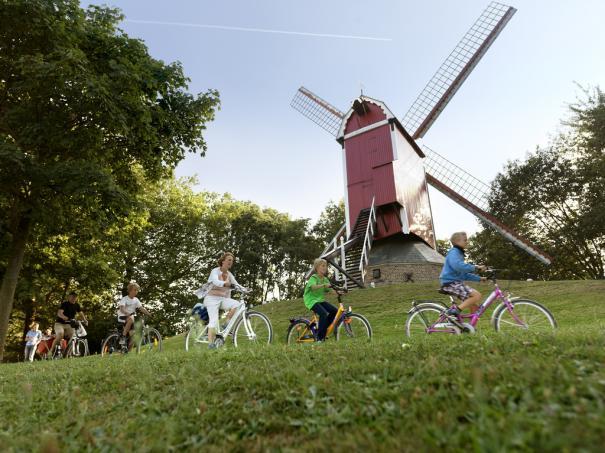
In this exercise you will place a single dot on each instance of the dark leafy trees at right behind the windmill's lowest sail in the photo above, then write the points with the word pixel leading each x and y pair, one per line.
pixel 556 199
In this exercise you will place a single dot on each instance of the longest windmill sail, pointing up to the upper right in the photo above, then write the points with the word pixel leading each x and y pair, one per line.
pixel 456 68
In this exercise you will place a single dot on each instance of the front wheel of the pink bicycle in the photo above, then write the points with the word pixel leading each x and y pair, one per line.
pixel 527 315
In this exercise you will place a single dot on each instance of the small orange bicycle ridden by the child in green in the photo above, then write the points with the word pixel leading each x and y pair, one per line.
pixel 347 326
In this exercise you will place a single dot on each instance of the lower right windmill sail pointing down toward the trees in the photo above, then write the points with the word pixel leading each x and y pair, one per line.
pixel 470 193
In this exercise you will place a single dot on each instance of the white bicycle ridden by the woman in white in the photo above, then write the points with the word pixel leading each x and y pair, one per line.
pixel 249 329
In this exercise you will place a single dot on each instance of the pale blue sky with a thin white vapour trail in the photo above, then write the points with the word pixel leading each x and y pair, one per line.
pixel 262 150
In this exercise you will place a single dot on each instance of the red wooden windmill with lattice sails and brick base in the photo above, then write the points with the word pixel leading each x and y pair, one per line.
pixel 388 231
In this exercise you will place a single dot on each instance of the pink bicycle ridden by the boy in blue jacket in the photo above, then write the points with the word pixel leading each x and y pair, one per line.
pixel 513 314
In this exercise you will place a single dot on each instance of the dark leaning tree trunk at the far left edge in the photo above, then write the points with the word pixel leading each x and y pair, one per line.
pixel 9 281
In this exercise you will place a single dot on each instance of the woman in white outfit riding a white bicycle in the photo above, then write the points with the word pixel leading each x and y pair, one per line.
pixel 219 297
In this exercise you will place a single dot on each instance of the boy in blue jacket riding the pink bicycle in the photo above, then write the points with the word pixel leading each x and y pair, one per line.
pixel 455 272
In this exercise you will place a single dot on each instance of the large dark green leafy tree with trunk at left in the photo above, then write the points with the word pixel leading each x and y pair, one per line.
pixel 82 106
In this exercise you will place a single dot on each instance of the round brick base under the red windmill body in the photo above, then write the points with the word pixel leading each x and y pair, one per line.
pixel 402 258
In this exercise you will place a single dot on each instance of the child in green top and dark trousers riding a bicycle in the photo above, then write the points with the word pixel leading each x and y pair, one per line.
pixel 316 289
